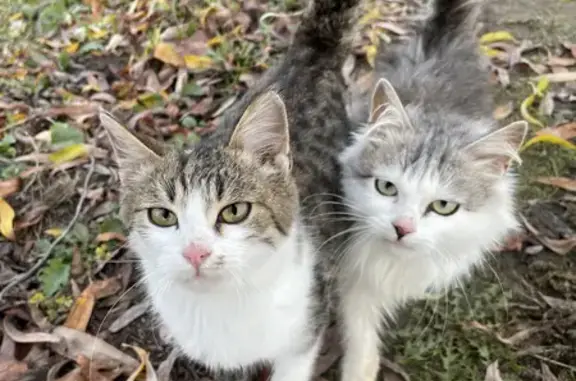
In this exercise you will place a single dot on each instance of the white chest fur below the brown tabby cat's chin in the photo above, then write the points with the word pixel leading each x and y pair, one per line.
pixel 239 327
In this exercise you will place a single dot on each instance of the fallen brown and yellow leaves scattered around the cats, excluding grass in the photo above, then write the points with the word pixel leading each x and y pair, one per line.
pixel 172 73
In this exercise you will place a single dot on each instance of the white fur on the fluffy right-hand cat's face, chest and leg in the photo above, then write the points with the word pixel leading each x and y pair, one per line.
pixel 380 274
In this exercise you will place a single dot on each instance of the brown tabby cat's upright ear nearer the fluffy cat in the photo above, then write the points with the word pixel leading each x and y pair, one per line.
pixel 263 130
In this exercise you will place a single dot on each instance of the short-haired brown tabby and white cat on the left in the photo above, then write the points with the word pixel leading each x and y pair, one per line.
pixel 228 233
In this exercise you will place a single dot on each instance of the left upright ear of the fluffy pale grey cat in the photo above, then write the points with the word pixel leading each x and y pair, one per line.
pixel 385 97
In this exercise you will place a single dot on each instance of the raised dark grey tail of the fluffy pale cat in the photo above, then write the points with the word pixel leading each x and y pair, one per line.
pixel 450 20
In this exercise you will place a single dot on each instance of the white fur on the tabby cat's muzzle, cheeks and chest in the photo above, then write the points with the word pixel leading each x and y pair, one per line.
pixel 251 304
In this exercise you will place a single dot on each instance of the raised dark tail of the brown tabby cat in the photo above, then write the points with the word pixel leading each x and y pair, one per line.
pixel 327 27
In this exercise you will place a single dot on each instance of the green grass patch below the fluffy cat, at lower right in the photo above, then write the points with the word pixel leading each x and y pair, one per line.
pixel 437 343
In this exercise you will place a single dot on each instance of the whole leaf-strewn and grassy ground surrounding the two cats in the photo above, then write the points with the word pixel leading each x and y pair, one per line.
pixel 170 70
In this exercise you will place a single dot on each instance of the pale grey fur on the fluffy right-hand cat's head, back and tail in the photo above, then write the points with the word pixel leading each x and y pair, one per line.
pixel 443 89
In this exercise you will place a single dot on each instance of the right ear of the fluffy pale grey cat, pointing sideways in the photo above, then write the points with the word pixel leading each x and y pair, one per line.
pixel 500 148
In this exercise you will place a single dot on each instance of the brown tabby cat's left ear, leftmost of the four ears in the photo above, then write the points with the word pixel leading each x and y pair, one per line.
pixel 128 149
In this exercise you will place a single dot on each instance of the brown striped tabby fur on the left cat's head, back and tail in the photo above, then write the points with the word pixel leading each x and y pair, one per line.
pixel 310 84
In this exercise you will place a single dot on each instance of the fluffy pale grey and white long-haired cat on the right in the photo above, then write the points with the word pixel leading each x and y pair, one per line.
pixel 426 179
